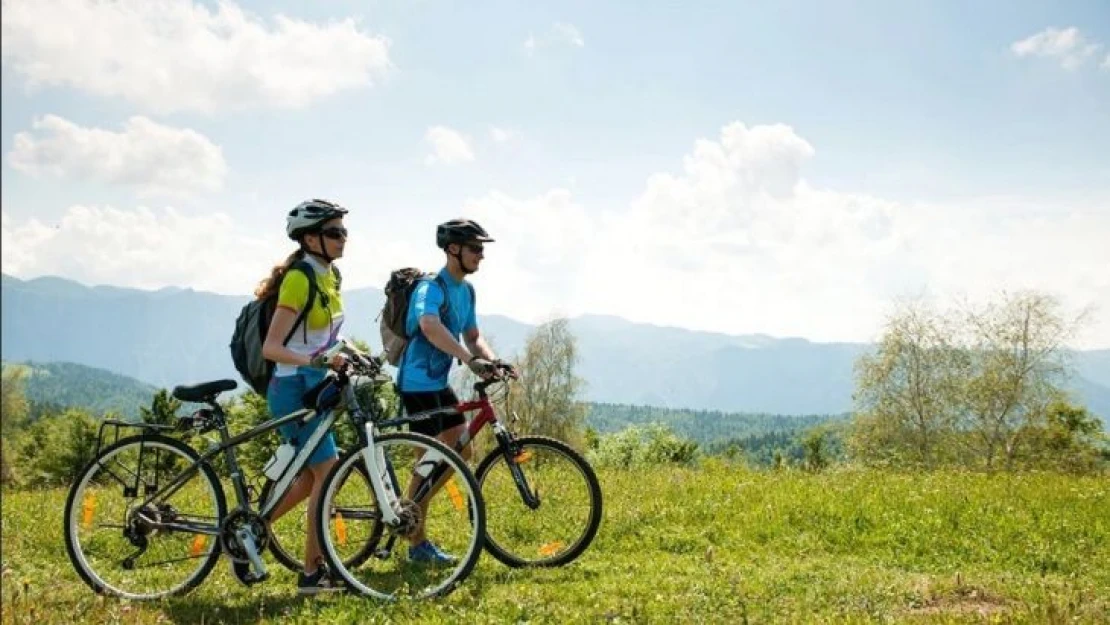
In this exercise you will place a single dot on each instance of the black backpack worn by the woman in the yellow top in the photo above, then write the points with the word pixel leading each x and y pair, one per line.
pixel 254 325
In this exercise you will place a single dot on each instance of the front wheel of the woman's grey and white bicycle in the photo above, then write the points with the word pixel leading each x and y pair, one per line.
pixel 450 513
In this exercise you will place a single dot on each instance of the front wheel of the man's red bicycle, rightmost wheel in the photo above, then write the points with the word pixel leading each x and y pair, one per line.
pixel 566 516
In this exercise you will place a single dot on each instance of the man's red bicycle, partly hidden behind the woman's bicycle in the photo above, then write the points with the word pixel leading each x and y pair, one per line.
pixel 543 500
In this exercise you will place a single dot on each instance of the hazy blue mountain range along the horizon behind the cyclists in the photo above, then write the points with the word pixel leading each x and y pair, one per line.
pixel 180 336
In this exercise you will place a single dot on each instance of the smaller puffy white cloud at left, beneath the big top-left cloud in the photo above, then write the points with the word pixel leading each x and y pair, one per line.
pixel 154 158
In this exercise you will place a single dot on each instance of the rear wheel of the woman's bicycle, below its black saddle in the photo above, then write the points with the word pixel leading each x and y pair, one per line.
pixel 124 548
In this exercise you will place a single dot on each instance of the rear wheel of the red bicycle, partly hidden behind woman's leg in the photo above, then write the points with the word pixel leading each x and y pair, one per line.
pixel 288 533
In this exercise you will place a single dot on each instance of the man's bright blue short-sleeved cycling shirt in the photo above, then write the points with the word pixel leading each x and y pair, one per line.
pixel 423 367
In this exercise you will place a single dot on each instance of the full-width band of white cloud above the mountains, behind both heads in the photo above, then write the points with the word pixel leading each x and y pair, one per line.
pixel 735 240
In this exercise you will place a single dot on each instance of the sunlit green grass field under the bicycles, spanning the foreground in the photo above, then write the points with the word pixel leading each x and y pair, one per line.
pixel 715 545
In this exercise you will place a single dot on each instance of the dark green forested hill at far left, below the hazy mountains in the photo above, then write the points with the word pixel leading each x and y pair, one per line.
pixel 65 385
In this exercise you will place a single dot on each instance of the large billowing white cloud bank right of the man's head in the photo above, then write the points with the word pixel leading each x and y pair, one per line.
pixel 740 243
